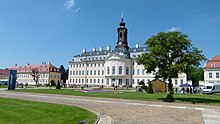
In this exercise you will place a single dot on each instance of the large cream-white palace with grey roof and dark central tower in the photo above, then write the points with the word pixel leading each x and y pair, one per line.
pixel 109 67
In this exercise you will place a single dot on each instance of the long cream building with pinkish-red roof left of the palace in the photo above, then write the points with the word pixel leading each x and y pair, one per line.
pixel 47 73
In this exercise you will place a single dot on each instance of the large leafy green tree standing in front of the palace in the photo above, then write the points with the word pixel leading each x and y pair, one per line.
pixel 170 53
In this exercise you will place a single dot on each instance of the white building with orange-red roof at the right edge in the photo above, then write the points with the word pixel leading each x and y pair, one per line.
pixel 212 70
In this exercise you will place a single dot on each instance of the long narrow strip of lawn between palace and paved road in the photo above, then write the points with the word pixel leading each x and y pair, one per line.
pixel 184 98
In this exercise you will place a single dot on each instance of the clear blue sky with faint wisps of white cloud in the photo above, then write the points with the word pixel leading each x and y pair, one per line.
pixel 36 31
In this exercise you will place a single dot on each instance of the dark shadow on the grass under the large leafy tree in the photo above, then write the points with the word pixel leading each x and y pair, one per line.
pixel 195 100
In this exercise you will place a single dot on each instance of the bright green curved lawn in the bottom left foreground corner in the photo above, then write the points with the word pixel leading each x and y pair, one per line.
pixel 15 111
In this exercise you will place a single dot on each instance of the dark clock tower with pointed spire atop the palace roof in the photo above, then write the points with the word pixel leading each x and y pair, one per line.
pixel 122 35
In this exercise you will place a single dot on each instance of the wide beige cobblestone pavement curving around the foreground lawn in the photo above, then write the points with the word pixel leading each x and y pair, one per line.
pixel 117 111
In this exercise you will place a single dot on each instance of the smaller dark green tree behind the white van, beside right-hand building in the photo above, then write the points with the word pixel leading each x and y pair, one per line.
pixel 195 74
